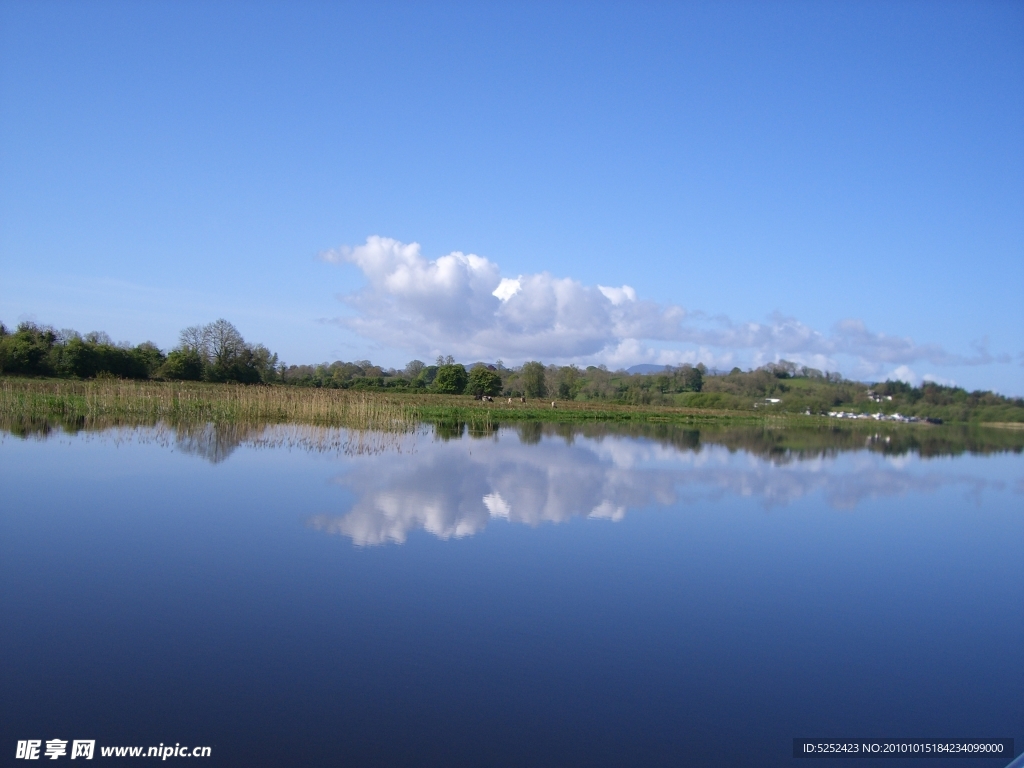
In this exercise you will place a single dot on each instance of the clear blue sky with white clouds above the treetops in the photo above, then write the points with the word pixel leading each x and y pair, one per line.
pixel 836 184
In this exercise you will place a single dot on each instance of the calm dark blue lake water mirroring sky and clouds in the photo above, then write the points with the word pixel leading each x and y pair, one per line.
pixel 520 599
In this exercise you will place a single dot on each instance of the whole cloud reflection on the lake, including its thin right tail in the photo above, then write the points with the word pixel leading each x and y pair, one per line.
pixel 456 488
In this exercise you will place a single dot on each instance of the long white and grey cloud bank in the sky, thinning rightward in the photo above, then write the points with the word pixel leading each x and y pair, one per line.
pixel 461 305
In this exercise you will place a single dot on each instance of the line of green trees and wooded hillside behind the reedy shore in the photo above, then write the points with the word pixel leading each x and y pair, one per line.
pixel 218 353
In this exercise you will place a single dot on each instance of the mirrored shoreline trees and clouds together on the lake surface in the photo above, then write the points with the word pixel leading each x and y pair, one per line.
pixel 453 480
